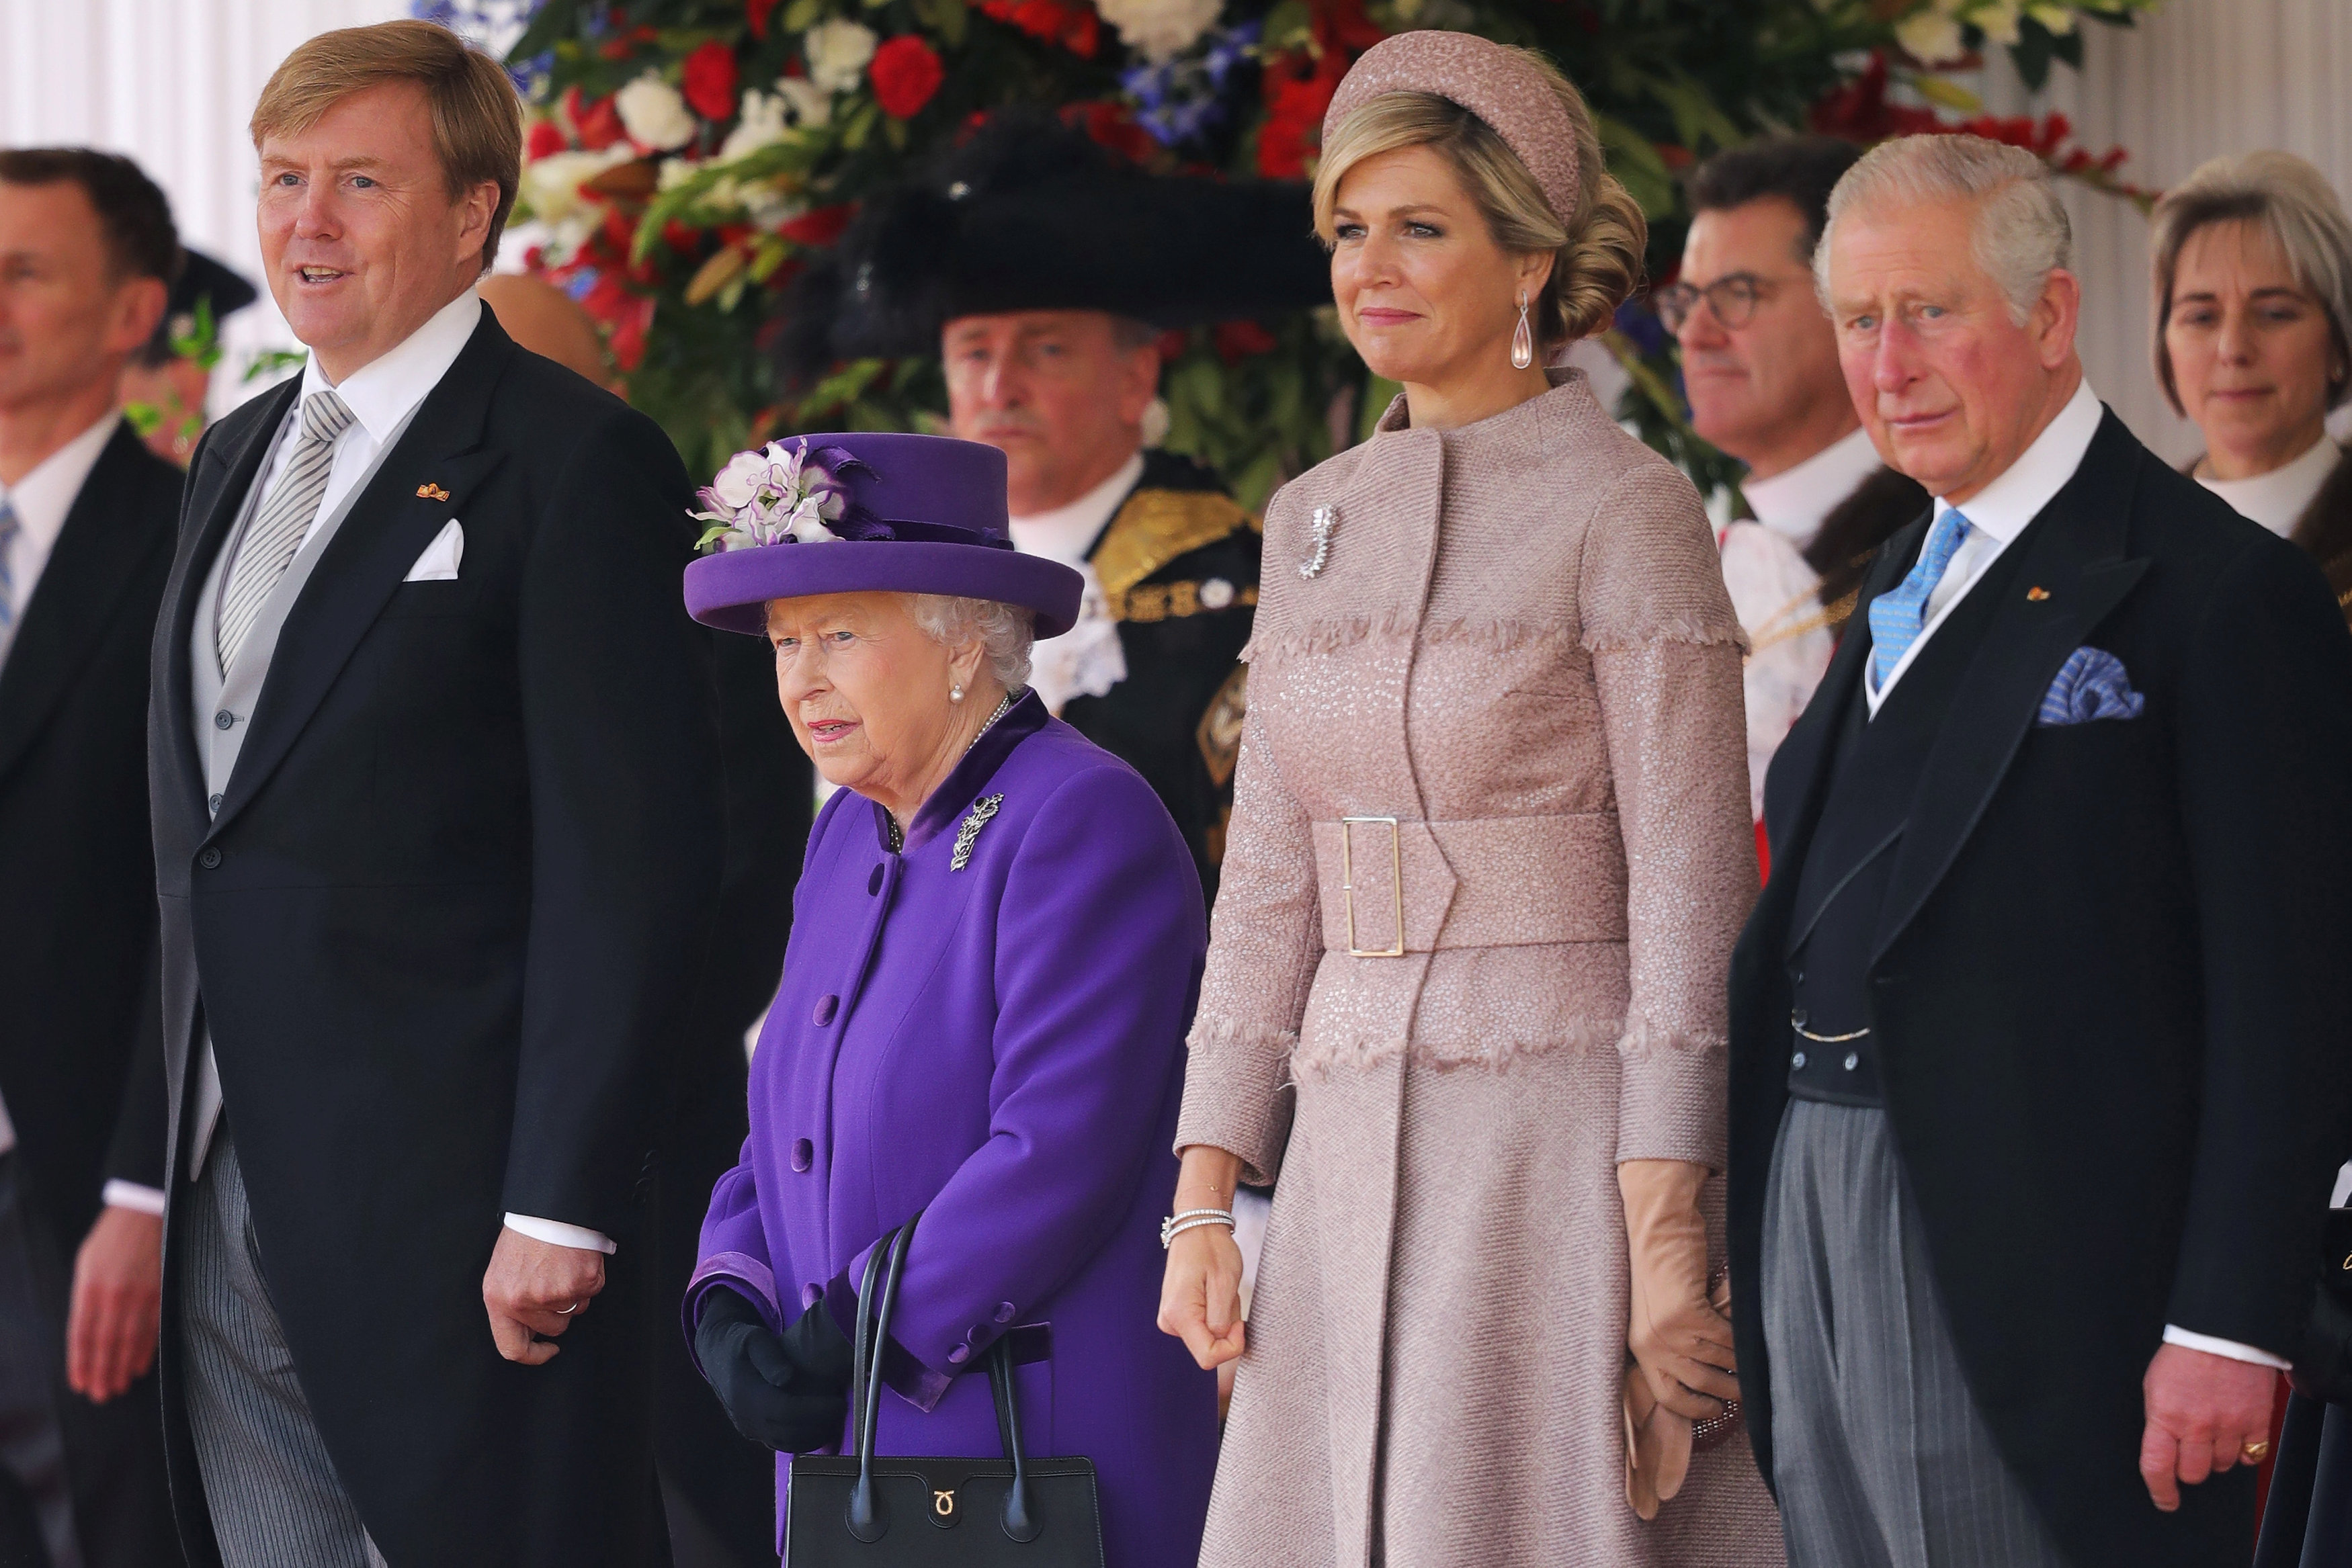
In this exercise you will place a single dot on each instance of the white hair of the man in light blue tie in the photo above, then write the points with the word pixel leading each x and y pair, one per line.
pixel 2022 229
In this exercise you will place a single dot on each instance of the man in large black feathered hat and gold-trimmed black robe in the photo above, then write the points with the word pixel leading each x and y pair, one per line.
pixel 1043 276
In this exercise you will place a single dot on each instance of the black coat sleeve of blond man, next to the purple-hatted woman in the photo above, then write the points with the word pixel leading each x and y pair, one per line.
pixel 627 819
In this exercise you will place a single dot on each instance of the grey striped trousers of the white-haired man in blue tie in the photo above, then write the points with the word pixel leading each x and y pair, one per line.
pixel 1880 1454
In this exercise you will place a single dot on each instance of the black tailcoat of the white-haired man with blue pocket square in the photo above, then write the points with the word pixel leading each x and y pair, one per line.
pixel 2109 986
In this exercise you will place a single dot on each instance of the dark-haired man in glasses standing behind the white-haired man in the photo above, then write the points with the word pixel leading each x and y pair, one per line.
pixel 1760 370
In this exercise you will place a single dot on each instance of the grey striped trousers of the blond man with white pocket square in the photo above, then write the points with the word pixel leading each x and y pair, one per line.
pixel 274 1494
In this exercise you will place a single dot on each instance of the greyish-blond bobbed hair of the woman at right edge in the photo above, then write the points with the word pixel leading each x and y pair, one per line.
pixel 2283 199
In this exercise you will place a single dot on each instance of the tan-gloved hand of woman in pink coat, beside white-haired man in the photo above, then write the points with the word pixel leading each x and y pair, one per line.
pixel 1676 1334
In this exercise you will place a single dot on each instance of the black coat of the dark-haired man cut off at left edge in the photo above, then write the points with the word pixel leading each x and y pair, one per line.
pixel 81 1054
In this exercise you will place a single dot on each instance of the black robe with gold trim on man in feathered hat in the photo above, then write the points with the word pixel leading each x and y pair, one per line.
pixel 1177 718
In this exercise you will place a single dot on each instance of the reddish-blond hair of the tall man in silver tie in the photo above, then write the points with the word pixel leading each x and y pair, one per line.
pixel 476 114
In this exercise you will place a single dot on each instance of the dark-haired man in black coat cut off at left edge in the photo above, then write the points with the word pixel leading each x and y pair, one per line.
pixel 86 542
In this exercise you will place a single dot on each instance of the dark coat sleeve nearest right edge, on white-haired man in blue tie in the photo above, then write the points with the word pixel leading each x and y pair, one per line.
pixel 2266 758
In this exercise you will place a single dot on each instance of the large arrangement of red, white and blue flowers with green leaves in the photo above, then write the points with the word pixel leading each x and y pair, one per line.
pixel 688 156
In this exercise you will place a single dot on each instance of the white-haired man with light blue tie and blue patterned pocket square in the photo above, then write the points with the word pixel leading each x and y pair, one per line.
pixel 2038 1036
